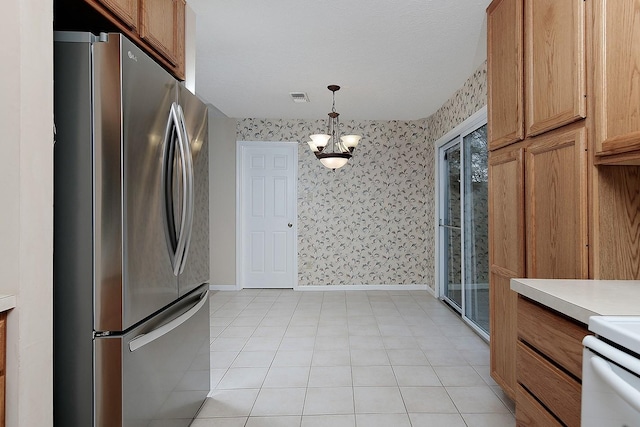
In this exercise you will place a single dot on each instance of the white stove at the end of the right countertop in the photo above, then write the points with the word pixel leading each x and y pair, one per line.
pixel 611 372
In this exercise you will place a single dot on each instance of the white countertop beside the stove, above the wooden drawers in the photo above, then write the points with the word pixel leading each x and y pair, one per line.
pixel 581 299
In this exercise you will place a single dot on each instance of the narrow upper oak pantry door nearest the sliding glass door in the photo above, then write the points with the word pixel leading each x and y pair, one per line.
pixel 504 72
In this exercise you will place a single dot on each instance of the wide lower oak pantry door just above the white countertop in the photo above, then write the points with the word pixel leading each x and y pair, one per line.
pixel 556 205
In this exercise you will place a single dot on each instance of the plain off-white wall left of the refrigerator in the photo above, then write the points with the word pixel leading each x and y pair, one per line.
pixel 26 223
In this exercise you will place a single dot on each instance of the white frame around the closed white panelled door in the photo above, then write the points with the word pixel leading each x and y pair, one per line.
pixel 240 146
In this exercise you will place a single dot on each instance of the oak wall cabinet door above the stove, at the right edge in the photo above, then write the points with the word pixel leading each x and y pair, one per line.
pixel 616 79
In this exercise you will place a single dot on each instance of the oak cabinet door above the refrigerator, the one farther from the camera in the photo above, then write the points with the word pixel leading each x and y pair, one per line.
pixel 161 23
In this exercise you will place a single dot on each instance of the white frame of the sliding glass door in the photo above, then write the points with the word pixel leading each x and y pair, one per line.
pixel 452 138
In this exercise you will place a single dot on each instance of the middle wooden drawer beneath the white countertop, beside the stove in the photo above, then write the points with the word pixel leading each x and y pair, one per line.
pixel 555 389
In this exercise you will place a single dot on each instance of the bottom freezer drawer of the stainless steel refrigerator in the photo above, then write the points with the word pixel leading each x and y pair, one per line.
pixel 166 380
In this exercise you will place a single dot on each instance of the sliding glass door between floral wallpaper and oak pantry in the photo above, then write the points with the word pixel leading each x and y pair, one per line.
pixel 463 226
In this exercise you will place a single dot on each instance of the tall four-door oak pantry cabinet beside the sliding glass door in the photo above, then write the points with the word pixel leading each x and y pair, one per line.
pixel 538 228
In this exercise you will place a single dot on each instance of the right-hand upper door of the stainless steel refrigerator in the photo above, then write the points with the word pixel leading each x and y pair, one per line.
pixel 196 268
